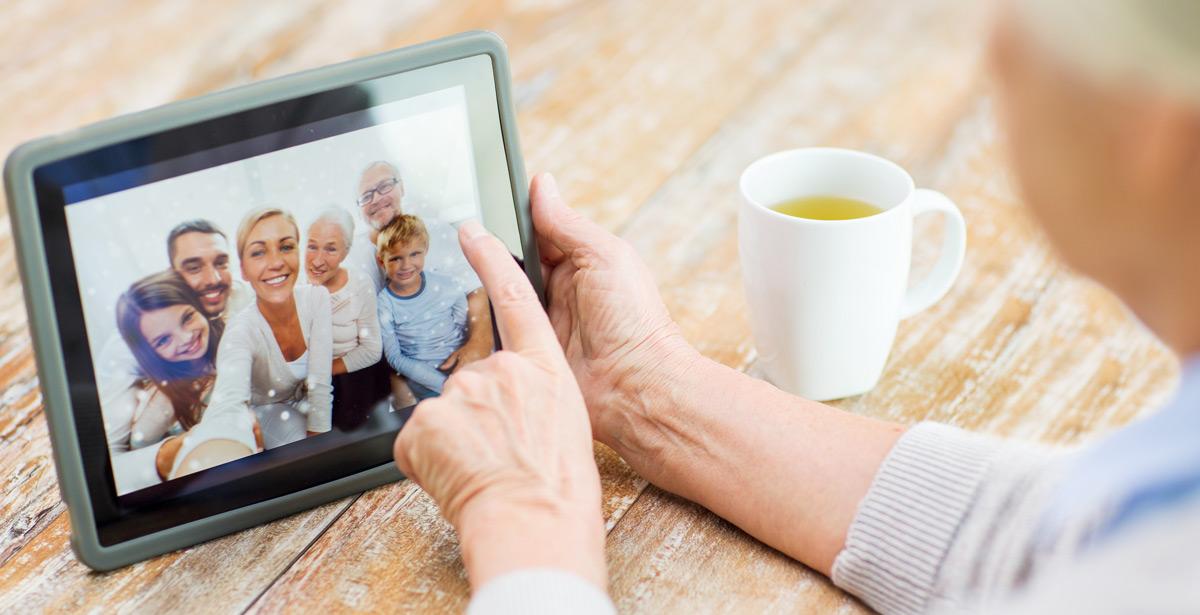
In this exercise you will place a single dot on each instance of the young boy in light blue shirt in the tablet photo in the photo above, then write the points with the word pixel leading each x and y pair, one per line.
pixel 423 315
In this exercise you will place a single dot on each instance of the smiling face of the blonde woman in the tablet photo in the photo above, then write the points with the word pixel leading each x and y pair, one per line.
pixel 271 260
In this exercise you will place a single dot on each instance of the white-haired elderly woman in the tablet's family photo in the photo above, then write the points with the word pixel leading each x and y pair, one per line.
pixel 359 379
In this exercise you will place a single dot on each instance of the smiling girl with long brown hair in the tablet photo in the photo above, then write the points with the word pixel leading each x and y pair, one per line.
pixel 175 343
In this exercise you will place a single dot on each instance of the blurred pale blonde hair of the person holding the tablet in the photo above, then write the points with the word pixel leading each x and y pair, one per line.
pixel 1154 44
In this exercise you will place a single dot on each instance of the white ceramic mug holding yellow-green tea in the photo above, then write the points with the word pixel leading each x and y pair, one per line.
pixel 826 296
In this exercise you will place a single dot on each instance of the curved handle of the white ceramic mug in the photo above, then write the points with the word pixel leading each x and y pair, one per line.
pixel 955 244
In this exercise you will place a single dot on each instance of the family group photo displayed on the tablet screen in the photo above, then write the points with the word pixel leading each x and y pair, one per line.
pixel 307 315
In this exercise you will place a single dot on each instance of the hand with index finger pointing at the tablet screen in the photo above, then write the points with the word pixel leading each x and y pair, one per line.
pixel 507 450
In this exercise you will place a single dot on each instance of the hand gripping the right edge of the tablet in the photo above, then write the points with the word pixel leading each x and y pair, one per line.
pixel 622 345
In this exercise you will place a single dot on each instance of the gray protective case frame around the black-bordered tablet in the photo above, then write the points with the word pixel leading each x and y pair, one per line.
pixel 40 307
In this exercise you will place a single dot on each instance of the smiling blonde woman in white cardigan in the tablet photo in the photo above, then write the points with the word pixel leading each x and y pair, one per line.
pixel 275 357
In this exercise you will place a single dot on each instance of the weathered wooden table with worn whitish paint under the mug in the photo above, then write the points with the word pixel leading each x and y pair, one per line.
pixel 647 114
